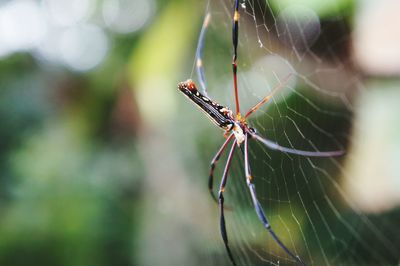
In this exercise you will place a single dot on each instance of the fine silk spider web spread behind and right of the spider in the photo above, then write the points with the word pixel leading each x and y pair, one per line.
pixel 305 199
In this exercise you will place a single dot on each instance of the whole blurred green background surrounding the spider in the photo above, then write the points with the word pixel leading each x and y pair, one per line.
pixel 103 162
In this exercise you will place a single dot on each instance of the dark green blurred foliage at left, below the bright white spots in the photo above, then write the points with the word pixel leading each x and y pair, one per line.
pixel 70 170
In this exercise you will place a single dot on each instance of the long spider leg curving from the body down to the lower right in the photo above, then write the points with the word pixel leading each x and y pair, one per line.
pixel 259 210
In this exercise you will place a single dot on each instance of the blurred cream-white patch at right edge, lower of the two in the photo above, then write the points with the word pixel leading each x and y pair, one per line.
pixel 372 177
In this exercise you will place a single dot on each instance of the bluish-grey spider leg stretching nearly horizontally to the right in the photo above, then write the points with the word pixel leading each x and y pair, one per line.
pixel 274 146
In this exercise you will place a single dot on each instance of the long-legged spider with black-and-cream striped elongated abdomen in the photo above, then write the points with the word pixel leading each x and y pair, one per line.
pixel 237 129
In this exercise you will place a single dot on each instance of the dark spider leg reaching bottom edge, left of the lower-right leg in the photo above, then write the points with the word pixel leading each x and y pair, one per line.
pixel 221 202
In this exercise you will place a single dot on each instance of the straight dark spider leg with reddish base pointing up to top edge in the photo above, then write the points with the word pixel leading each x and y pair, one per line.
pixel 235 34
